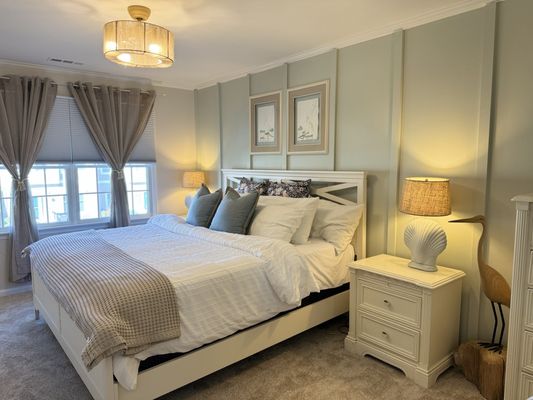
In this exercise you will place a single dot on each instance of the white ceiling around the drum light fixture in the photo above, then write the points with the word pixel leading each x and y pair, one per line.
pixel 215 40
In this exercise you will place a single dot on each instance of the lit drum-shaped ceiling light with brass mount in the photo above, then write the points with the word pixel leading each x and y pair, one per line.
pixel 138 43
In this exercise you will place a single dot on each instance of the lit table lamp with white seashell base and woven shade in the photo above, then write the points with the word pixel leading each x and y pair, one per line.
pixel 425 238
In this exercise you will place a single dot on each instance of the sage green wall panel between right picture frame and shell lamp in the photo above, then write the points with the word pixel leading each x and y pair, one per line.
pixel 363 126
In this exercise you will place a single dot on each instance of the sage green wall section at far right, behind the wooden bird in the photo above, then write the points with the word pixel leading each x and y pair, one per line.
pixel 511 166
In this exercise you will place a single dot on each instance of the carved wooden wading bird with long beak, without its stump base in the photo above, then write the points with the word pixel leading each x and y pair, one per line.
pixel 493 284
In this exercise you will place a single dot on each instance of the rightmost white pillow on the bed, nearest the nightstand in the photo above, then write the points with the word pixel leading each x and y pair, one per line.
pixel 336 223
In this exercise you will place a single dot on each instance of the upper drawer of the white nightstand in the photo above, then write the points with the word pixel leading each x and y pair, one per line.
pixel 399 305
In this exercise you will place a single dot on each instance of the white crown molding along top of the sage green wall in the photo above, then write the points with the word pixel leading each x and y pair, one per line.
pixel 407 23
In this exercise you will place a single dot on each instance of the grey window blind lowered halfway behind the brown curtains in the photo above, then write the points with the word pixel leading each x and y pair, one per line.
pixel 67 138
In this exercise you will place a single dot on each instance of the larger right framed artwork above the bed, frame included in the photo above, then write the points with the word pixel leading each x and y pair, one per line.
pixel 308 119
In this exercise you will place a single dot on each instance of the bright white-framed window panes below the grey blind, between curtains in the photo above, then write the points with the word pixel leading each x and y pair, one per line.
pixel 77 194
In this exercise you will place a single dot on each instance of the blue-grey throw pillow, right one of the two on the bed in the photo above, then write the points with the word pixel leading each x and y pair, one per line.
pixel 235 212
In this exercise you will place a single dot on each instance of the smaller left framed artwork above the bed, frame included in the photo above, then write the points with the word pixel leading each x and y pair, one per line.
pixel 265 123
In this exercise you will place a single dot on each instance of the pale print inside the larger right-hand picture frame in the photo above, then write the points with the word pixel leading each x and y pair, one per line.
pixel 307 119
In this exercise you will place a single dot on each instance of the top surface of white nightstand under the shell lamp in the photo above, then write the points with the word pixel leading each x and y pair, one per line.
pixel 397 268
